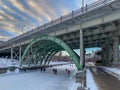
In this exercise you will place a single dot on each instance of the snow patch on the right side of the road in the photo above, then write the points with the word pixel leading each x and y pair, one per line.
pixel 113 71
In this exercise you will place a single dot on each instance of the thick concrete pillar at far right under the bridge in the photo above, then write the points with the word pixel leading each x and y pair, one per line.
pixel 116 51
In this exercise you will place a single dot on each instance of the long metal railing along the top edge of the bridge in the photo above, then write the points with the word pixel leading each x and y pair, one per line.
pixel 75 13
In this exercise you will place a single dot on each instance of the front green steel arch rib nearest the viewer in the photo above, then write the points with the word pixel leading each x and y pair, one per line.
pixel 58 43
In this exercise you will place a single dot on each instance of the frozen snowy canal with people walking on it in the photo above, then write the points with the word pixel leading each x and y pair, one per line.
pixel 37 80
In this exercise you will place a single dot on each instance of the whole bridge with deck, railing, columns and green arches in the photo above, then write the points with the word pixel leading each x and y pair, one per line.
pixel 94 25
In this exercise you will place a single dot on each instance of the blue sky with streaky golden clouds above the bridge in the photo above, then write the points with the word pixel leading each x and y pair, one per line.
pixel 16 15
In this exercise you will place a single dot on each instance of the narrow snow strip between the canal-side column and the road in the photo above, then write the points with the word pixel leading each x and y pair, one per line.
pixel 90 80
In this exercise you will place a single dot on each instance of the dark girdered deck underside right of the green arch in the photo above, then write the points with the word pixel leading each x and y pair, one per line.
pixel 95 36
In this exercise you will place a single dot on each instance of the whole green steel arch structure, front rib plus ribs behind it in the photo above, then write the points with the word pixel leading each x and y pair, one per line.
pixel 44 48
